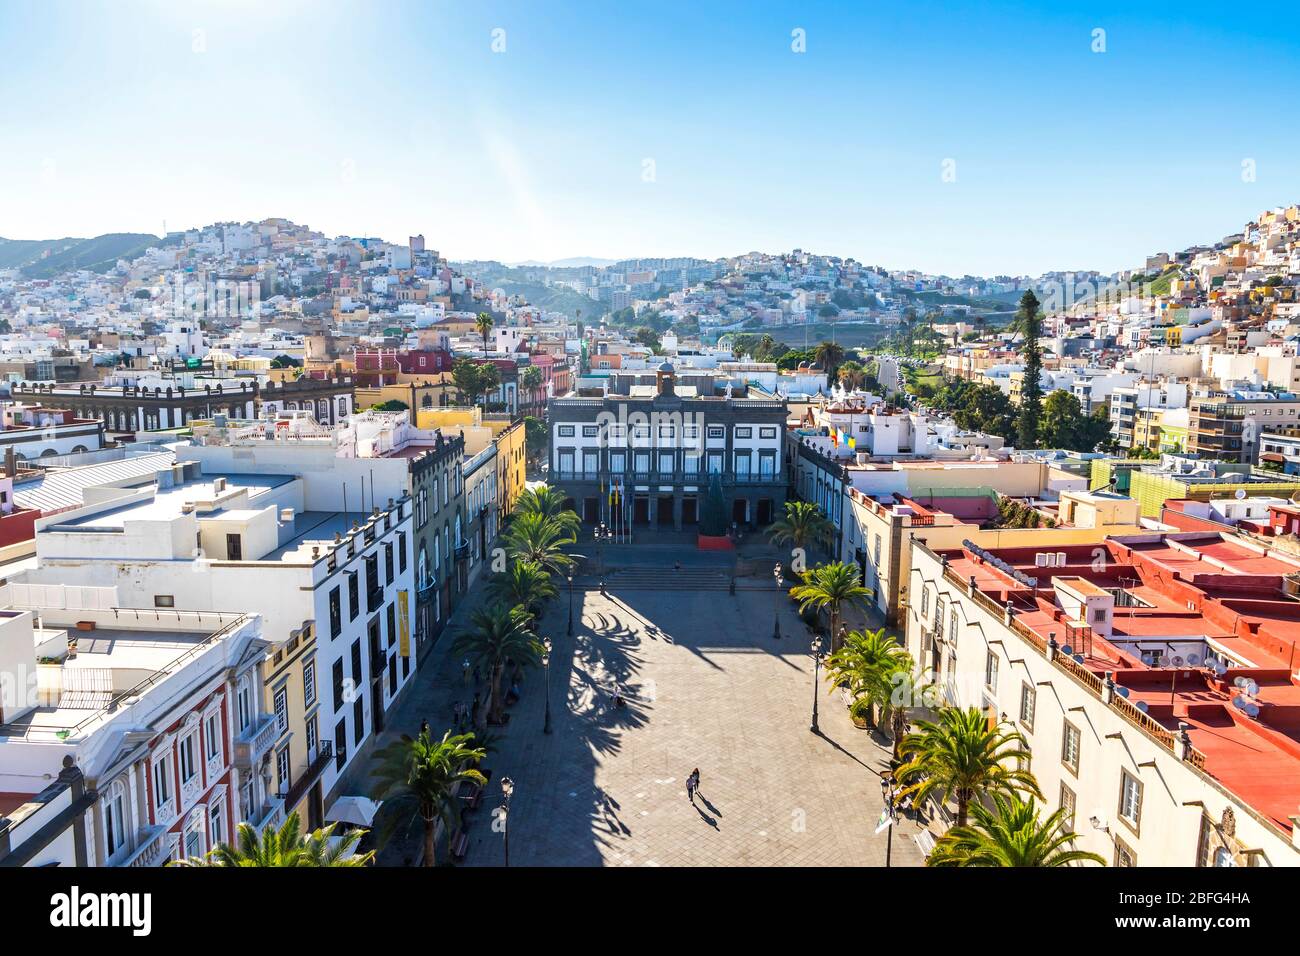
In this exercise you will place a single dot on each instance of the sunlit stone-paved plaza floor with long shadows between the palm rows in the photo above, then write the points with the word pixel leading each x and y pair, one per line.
pixel 708 687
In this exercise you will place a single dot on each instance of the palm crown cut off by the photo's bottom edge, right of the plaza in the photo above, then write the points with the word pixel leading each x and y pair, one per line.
pixel 1011 834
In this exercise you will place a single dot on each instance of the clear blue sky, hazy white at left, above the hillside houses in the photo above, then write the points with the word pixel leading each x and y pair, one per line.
pixel 621 129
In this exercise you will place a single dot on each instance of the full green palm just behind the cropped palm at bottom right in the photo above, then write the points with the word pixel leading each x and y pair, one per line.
pixel 964 756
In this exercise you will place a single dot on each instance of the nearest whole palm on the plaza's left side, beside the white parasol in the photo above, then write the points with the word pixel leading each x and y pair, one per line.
pixel 419 777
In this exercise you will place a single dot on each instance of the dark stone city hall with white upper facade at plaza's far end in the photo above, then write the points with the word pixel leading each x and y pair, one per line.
pixel 643 455
